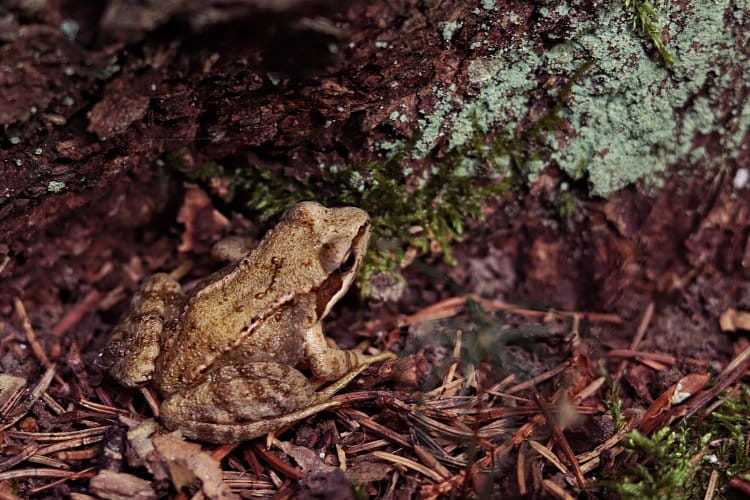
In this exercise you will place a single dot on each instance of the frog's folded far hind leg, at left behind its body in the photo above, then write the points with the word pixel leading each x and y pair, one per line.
pixel 131 352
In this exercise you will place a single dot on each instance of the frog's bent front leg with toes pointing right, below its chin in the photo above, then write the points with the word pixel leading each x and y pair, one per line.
pixel 330 363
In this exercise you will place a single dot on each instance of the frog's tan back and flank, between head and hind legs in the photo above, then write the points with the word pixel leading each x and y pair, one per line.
pixel 253 309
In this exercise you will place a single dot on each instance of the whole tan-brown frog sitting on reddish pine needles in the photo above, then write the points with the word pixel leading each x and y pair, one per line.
pixel 229 357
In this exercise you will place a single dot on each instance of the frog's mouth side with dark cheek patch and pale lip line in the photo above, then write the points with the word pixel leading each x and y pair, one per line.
pixel 337 283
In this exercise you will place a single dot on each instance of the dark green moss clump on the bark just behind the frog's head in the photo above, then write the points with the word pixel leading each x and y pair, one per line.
pixel 427 218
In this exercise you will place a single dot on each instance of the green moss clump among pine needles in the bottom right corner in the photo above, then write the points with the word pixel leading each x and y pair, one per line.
pixel 676 464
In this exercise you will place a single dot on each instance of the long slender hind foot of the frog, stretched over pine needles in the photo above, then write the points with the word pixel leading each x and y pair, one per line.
pixel 228 433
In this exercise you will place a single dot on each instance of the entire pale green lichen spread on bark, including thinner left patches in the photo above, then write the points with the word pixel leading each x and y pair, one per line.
pixel 632 115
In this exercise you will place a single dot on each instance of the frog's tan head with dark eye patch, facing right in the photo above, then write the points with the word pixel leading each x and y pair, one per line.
pixel 340 236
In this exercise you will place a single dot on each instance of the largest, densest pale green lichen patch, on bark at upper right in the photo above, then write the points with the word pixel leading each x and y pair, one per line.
pixel 632 116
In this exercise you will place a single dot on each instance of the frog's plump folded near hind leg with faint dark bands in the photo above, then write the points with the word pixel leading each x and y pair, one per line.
pixel 238 402
